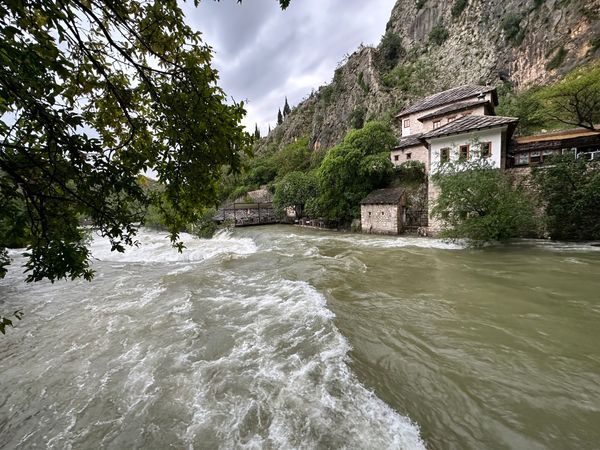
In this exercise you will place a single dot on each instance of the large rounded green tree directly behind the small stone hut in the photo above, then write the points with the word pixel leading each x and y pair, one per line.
pixel 354 168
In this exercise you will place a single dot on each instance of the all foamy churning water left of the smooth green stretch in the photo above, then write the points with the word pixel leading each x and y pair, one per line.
pixel 205 349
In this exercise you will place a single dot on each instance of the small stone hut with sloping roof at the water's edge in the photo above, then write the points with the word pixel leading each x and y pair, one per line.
pixel 381 211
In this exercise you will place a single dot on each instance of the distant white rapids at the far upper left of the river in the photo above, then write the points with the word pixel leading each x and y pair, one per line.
pixel 156 247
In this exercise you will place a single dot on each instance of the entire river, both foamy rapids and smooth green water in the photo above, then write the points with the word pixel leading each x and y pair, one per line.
pixel 280 337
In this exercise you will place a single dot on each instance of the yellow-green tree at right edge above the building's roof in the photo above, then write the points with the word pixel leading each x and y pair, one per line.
pixel 575 100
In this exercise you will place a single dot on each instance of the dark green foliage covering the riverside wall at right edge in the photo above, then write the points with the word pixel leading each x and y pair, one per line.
pixel 570 188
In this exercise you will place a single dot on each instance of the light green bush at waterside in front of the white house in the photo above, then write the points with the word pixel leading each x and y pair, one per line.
pixel 480 203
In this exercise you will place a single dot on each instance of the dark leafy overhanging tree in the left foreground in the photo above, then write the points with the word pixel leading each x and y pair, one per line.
pixel 92 94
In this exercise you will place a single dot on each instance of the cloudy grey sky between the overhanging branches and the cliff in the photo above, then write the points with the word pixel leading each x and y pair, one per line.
pixel 264 54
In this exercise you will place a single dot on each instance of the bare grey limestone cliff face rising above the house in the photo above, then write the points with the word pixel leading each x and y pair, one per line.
pixel 522 42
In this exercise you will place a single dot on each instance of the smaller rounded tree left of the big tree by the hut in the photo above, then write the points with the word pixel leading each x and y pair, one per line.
pixel 294 190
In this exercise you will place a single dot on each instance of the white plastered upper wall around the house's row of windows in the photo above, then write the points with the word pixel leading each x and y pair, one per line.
pixel 495 136
